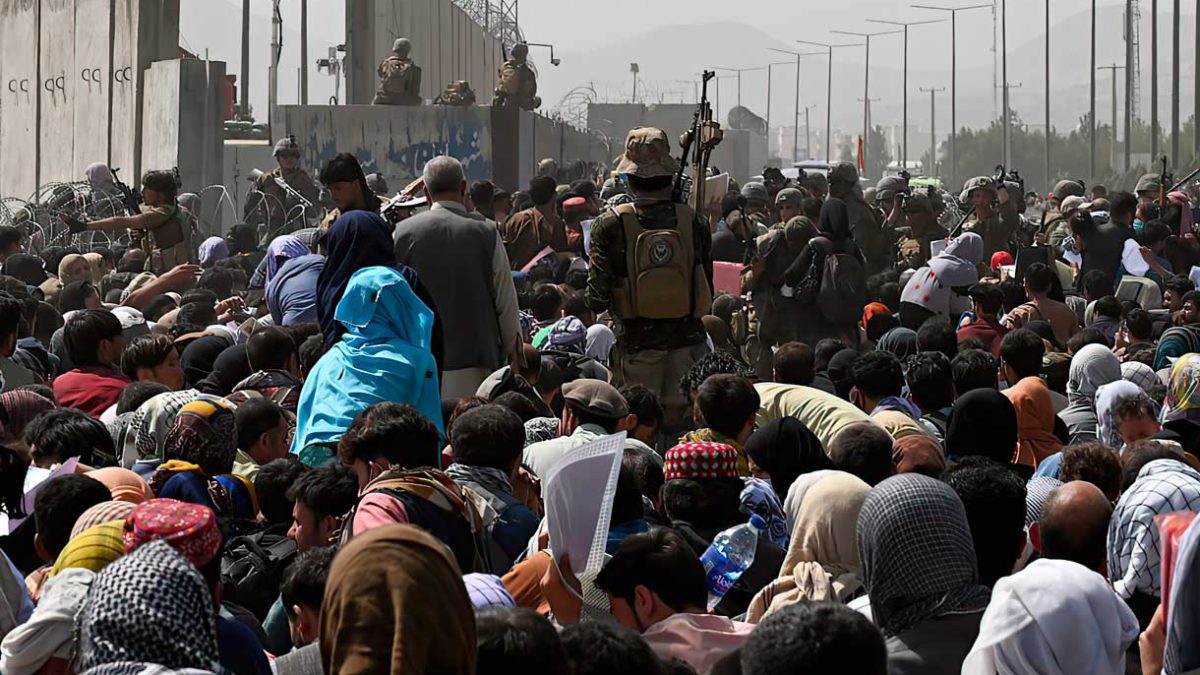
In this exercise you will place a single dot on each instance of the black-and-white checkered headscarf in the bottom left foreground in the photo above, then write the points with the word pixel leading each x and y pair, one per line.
pixel 151 607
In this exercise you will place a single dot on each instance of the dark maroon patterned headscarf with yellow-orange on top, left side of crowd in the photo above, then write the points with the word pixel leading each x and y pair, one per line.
pixel 205 434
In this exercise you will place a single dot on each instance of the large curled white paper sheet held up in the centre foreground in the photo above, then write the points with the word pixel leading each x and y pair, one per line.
pixel 578 494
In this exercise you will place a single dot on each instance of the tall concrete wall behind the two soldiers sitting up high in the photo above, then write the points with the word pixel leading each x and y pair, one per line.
pixel 447 45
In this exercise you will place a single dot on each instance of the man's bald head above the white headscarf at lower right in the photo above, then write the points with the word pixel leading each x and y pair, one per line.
pixel 1075 524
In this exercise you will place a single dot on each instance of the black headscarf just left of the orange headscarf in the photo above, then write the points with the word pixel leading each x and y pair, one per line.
pixel 983 423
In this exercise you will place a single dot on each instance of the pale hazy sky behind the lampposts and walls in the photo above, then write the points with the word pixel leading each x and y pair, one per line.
pixel 597 41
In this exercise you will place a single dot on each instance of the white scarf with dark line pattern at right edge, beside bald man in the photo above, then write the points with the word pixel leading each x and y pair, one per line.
pixel 1162 487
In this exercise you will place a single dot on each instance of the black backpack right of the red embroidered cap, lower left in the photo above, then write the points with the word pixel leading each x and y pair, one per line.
pixel 253 570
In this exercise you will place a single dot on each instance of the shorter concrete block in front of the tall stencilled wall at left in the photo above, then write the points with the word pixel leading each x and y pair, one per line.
pixel 183 121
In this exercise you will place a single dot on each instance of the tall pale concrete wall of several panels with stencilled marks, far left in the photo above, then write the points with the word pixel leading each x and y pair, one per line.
pixel 70 86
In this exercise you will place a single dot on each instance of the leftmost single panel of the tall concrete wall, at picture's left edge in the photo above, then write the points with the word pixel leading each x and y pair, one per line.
pixel 19 98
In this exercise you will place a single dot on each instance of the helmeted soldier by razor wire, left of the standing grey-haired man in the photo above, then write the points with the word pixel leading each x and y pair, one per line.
pixel 271 204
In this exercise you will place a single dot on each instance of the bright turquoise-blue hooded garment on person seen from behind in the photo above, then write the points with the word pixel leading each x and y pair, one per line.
pixel 385 356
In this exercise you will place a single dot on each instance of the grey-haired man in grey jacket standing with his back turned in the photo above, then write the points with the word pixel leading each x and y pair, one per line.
pixel 460 259
